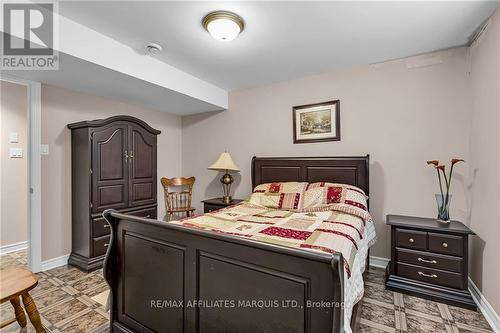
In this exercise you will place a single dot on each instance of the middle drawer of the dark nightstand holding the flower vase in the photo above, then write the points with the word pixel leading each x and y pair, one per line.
pixel 430 260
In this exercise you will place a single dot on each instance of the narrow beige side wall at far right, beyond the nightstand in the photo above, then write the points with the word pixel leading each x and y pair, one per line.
pixel 485 161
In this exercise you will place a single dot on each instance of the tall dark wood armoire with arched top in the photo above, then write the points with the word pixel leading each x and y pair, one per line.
pixel 113 165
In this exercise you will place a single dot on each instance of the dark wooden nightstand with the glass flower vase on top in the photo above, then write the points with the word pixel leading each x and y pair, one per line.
pixel 429 259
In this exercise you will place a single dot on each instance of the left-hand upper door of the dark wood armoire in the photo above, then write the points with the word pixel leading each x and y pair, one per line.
pixel 109 168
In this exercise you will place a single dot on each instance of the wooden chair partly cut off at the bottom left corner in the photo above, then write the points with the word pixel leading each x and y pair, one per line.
pixel 14 282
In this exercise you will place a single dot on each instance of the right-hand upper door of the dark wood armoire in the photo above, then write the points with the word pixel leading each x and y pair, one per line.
pixel 142 166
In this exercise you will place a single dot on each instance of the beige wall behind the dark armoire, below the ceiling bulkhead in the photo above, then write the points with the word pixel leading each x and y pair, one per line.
pixel 61 107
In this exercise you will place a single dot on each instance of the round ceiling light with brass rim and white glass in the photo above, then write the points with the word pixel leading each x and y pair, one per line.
pixel 223 25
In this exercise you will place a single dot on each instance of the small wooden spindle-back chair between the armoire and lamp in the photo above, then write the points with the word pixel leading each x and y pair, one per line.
pixel 178 202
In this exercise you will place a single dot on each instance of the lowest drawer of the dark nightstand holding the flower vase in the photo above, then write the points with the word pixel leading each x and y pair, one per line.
pixel 429 275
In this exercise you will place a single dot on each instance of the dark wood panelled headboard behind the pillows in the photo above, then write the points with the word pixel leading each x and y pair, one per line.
pixel 345 170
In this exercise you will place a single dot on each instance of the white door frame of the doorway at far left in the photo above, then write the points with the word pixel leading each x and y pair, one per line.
pixel 34 190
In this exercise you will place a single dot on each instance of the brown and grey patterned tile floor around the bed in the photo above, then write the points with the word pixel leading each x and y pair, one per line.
pixel 64 299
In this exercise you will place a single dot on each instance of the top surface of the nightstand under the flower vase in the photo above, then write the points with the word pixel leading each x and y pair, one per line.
pixel 422 223
